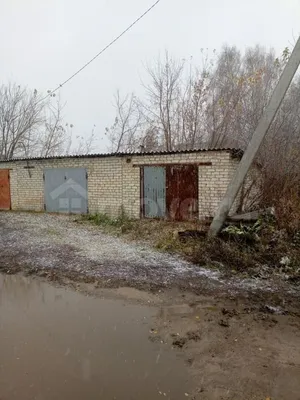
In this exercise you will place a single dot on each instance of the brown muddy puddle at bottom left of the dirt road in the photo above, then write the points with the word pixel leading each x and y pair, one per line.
pixel 56 343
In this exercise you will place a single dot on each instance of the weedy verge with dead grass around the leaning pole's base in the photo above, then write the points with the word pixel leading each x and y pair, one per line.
pixel 260 249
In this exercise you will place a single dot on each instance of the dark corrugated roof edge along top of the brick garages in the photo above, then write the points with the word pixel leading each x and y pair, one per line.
pixel 233 151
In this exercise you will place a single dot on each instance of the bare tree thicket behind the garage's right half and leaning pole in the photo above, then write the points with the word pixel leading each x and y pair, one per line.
pixel 218 104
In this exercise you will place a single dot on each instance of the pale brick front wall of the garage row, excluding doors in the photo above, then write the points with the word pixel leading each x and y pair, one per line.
pixel 114 180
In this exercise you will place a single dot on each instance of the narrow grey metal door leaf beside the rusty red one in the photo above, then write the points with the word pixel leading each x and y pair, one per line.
pixel 154 192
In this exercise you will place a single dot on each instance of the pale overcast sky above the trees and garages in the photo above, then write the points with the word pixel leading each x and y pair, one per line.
pixel 42 42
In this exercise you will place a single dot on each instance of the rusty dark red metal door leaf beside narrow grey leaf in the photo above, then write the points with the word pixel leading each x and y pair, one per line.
pixel 182 192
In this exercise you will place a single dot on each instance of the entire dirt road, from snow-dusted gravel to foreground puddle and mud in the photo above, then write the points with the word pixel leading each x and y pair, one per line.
pixel 200 335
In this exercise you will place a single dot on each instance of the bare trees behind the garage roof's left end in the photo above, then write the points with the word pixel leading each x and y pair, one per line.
pixel 32 125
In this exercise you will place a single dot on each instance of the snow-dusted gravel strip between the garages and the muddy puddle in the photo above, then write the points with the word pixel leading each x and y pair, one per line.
pixel 56 242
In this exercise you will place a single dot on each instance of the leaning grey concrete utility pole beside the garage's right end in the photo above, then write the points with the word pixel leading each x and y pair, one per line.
pixel 260 132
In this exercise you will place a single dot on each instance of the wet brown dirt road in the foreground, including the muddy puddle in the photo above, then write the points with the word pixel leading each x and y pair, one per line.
pixel 123 343
